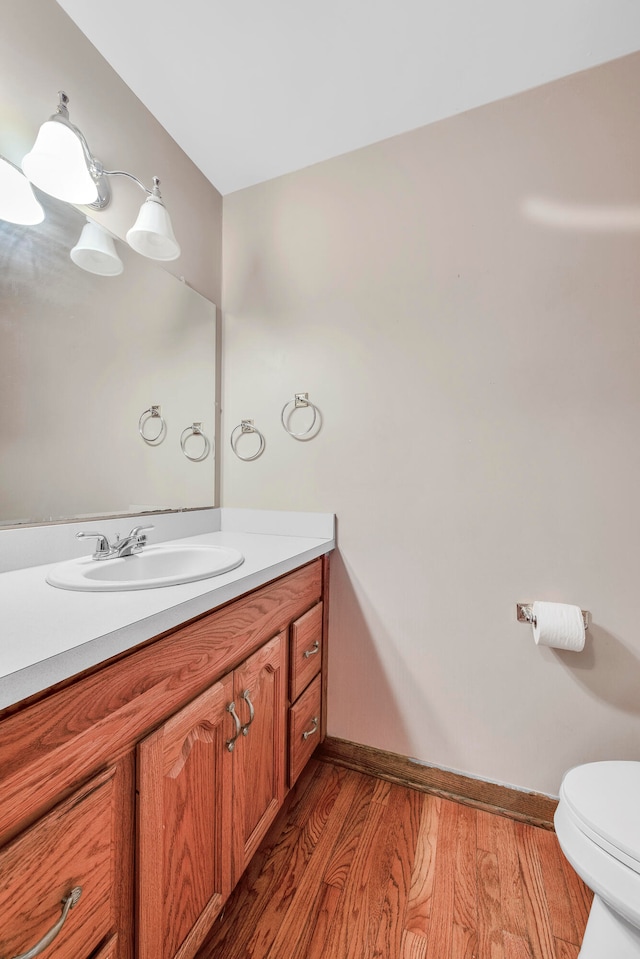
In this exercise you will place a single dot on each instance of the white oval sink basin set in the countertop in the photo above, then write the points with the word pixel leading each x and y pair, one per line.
pixel 153 567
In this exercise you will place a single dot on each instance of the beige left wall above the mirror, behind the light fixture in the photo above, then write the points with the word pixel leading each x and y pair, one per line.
pixel 41 52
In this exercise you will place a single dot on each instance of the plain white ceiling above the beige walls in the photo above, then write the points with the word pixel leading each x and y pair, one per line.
pixel 251 89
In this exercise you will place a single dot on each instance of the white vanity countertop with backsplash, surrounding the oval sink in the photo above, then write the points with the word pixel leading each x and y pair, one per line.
pixel 49 634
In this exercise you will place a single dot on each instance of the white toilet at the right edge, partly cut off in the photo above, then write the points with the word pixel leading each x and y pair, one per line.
pixel 598 827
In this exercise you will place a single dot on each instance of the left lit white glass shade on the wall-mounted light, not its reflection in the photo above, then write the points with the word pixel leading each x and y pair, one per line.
pixel 57 164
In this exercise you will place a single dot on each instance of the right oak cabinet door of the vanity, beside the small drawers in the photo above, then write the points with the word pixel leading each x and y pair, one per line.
pixel 259 755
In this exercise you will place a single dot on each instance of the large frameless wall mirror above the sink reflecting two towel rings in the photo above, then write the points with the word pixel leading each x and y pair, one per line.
pixel 81 358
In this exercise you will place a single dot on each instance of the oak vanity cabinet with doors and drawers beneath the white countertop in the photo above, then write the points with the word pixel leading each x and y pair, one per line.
pixel 148 780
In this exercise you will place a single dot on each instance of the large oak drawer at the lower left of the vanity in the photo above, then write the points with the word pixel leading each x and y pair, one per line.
pixel 70 847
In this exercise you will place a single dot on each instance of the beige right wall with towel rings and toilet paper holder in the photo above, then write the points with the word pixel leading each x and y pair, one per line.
pixel 478 372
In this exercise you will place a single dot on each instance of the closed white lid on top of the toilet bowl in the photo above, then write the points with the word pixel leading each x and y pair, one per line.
pixel 604 797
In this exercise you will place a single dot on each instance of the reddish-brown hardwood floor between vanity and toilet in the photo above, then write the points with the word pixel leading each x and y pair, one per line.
pixel 358 868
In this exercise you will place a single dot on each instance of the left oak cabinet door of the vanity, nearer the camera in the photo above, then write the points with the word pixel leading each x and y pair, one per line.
pixel 184 825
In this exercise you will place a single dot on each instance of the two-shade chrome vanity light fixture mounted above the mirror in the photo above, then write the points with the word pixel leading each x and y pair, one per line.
pixel 62 165
